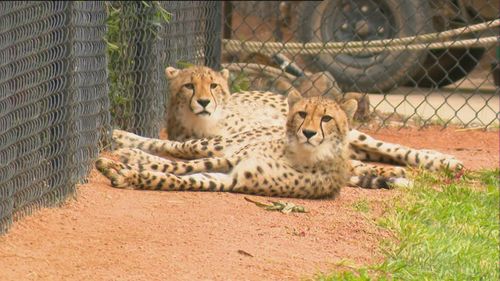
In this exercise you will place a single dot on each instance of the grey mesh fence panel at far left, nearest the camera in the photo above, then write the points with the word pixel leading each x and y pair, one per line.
pixel 53 100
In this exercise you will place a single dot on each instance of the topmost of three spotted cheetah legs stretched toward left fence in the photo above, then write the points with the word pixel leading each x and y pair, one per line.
pixel 192 149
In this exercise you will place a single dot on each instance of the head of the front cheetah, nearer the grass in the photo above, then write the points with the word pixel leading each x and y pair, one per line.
pixel 318 126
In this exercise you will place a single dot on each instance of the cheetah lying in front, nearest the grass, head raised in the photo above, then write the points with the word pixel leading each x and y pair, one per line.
pixel 312 161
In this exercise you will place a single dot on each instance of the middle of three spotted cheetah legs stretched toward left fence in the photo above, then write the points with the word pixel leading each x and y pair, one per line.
pixel 144 161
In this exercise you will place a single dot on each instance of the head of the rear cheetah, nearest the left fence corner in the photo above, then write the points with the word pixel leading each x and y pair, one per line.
pixel 197 90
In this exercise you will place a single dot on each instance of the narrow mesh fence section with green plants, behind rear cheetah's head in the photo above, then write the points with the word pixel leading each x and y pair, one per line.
pixel 152 37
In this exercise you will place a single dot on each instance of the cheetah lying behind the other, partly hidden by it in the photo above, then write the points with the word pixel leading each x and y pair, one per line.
pixel 201 105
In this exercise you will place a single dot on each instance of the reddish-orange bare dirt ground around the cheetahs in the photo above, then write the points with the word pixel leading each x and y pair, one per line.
pixel 111 234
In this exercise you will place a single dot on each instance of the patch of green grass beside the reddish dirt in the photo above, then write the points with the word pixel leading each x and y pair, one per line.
pixel 447 228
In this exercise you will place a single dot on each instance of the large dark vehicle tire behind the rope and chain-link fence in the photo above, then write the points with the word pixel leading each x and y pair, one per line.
pixel 318 21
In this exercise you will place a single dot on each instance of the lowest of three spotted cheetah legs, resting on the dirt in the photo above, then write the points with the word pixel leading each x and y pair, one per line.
pixel 124 176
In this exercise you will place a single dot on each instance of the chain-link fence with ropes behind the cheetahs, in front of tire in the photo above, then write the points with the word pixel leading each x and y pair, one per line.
pixel 415 62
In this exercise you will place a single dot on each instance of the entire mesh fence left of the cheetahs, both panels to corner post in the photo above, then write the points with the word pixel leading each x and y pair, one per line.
pixel 58 100
